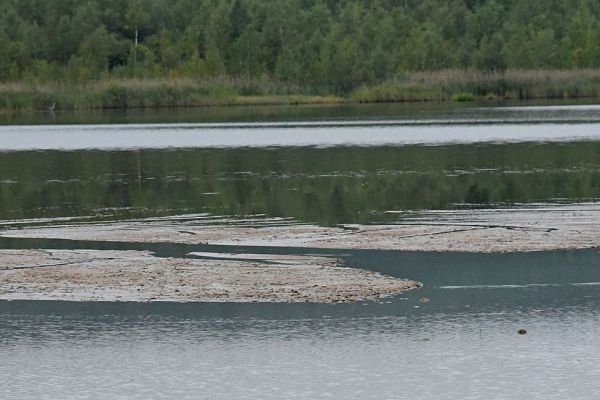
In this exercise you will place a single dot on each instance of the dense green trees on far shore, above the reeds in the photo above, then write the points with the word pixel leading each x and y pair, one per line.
pixel 316 45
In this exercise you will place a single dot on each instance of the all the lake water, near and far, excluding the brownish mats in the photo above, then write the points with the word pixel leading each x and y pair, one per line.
pixel 328 165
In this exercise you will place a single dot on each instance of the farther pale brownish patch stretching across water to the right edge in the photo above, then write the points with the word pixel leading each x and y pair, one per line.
pixel 518 229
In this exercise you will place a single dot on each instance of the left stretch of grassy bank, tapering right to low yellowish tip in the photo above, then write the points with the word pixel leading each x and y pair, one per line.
pixel 148 93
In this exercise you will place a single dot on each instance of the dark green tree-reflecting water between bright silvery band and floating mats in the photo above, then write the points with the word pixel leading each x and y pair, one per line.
pixel 326 186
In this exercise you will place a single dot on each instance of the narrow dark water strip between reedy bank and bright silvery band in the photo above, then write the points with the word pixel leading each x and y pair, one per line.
pixel 581 110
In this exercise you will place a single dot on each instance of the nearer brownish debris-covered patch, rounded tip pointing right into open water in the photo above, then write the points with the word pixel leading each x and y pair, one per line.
pixel 94 275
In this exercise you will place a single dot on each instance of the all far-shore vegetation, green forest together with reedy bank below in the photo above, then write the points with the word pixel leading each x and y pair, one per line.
pixel 85 54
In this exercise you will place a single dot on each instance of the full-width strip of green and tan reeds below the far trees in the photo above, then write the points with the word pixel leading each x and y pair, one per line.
pixel 447 85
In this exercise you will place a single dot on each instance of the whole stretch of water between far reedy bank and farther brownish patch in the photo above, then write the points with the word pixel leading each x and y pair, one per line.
pixel 324 165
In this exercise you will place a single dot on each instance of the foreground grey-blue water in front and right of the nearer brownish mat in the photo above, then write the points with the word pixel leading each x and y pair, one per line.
pixel 461 344
